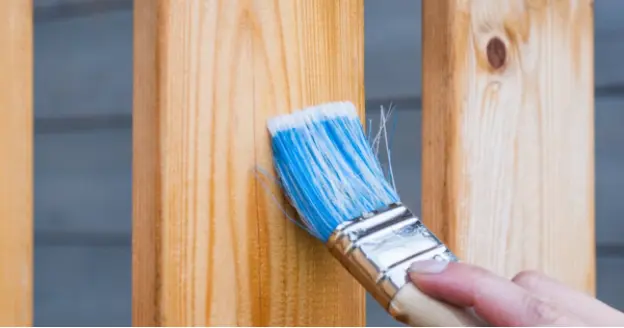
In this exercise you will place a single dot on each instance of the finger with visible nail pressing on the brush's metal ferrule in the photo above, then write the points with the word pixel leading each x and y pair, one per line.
pixel 495 299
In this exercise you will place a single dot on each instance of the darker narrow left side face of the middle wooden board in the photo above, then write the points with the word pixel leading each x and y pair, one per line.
pixel 146 180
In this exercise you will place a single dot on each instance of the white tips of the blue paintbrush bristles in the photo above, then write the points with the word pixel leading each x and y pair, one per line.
pixel 299 118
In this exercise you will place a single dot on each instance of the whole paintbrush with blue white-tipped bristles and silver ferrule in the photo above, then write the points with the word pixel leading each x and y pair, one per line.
pixel 334 180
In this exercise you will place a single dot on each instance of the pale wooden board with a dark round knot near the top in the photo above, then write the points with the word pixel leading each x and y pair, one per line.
pixel 508 139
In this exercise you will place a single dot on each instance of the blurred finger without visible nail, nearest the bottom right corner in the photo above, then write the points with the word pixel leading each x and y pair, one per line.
pixel 585 307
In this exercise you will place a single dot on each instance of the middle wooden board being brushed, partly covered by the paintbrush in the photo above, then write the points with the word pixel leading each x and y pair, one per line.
pixel 211 247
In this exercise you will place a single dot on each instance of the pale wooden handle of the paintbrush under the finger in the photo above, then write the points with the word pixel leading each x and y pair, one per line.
pixel 412 307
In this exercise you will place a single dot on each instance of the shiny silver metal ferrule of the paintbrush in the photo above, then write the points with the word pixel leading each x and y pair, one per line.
pixel 378 248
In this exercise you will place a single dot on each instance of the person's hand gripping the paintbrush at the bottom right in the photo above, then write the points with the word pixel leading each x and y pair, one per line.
pixel 529 299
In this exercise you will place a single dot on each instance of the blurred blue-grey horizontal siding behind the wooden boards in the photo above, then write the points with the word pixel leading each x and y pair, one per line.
pixel 83 153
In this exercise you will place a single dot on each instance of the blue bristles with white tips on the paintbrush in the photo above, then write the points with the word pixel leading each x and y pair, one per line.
pixel 326 166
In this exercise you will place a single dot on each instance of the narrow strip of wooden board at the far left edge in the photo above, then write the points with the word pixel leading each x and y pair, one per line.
pixel 16 169
